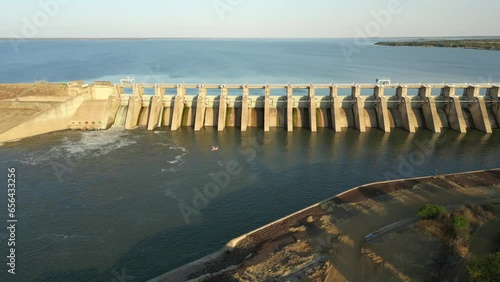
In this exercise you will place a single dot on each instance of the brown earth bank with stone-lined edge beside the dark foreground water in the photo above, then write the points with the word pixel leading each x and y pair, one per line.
pixel 326 242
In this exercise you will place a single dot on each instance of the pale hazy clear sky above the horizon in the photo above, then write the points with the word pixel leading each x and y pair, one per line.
pixel 246 18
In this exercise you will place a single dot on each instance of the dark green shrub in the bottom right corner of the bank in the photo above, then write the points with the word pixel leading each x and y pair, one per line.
pixel 485 269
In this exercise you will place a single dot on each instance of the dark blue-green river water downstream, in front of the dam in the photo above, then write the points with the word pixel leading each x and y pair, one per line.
pixel 91 202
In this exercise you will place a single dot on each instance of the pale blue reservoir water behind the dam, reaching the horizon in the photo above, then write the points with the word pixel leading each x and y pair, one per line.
pixel 240 61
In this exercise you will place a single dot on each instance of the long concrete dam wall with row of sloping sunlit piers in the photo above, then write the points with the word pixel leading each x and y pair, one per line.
pixel 361 106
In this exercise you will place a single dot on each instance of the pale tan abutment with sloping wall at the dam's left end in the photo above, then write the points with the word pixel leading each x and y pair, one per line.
pixel 48 110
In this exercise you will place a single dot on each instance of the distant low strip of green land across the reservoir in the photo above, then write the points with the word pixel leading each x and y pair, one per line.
pixel 481 44
